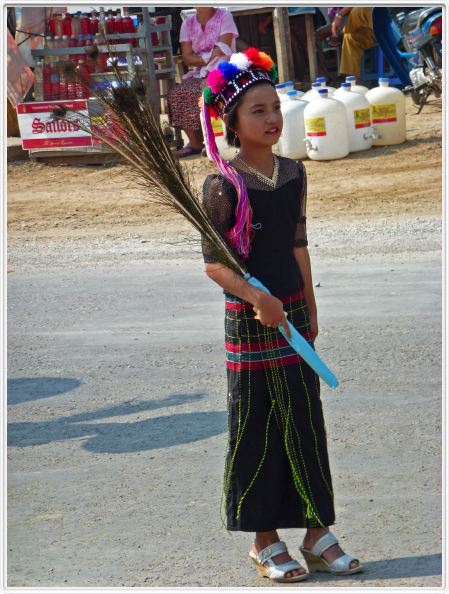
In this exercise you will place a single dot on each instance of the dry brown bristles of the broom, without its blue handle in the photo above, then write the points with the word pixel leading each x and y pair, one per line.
pixel 130 127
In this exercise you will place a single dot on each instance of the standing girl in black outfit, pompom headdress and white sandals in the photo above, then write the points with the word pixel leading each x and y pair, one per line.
pixel 277 469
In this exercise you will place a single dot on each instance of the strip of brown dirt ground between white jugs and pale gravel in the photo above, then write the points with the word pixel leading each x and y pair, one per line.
pixel 69 202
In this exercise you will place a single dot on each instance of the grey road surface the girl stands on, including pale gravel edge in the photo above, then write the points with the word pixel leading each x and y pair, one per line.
pixel 117 420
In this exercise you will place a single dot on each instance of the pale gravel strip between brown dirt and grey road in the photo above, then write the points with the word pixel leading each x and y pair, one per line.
pixel 354 240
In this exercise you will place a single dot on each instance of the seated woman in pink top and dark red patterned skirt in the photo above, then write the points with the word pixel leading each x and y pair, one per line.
pixel 206 38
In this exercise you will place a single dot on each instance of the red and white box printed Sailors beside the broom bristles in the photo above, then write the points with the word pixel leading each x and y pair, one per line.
pixel 40 130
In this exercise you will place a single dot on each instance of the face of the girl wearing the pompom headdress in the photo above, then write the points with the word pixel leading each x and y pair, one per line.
pixel 259 117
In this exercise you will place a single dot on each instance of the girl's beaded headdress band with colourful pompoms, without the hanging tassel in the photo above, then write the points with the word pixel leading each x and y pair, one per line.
pixel 230 79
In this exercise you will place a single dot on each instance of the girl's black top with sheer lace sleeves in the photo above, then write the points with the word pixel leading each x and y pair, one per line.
pixel 279 223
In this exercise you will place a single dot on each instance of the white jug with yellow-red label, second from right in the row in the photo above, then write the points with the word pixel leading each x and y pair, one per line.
pixel 358 116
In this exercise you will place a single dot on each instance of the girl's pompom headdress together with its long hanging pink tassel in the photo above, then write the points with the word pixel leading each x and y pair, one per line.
pixel 225 85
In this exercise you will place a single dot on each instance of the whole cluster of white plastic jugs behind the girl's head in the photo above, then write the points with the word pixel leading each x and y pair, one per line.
pixel 327 123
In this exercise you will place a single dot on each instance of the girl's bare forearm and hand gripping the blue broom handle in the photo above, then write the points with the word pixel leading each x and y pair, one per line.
pixel 269 310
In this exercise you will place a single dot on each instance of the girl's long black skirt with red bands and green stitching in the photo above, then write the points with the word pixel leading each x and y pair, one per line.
pixel 277 471
